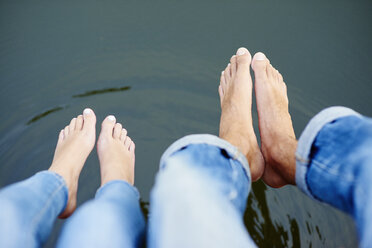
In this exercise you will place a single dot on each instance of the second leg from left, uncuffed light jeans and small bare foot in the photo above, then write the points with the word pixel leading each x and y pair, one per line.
pixel 114 217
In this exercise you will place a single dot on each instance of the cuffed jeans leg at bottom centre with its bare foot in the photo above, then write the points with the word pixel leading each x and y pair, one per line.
pixel 202 187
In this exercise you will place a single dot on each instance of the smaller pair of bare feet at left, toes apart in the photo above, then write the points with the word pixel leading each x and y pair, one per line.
pixel 76 141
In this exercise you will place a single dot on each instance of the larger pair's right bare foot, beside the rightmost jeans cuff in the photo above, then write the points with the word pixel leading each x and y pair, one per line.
pixel 278 140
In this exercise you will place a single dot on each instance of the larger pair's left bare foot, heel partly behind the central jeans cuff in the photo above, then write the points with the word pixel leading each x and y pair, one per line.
pixel 236 126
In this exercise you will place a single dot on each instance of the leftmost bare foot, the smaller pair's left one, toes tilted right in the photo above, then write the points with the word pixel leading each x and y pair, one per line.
pixel 75 143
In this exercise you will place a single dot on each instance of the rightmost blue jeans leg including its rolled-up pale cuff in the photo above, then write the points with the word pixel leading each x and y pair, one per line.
pixel 337 167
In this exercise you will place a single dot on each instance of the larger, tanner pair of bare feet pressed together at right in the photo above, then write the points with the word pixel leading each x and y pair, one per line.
pixel 275 161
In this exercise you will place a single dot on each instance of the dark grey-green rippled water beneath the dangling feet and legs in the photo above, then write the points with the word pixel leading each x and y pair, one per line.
pixel 156 66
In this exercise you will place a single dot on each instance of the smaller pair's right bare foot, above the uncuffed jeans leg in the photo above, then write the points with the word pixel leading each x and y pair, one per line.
pixel 115 152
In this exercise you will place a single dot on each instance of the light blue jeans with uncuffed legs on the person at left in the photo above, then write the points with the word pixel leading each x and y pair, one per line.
pixel 29 208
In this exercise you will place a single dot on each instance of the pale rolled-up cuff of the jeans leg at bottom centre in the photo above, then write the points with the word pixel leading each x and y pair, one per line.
pixel 208 139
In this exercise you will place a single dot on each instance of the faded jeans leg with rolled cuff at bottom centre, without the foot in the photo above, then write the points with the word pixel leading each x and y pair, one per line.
pixel 200 195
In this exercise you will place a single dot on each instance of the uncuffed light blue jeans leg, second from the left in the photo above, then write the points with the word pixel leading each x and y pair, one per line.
pixel 112 219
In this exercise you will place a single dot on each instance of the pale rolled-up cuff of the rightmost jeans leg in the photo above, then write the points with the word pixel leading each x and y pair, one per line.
pixel 308 137
